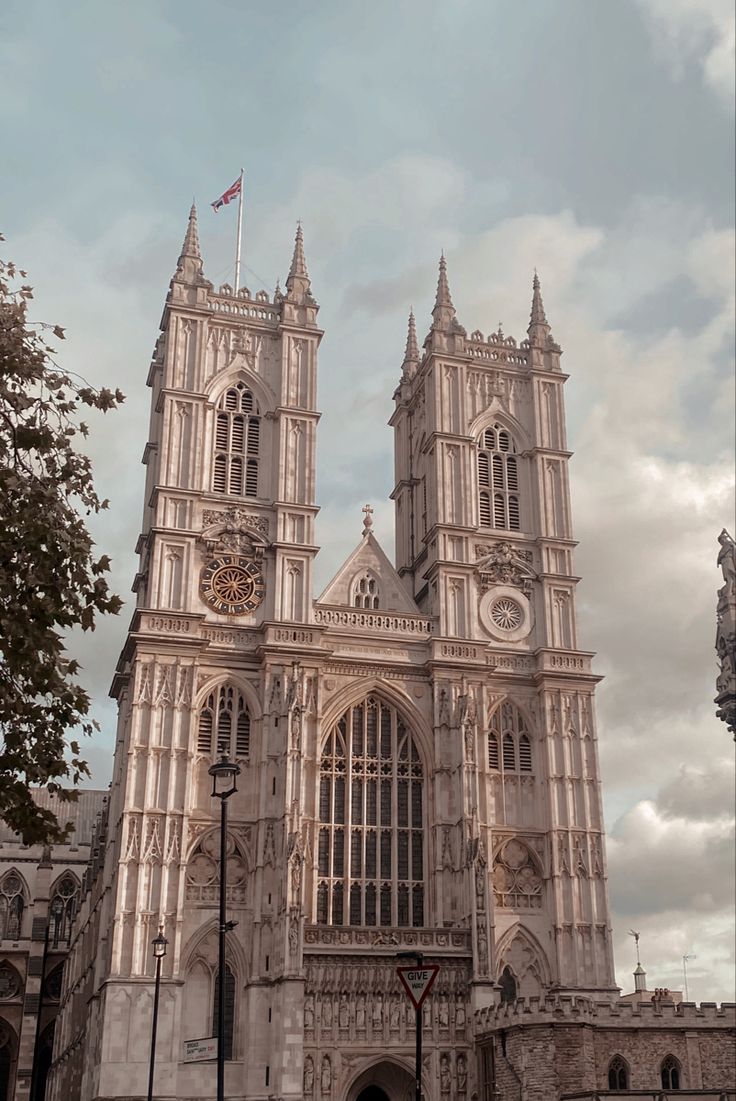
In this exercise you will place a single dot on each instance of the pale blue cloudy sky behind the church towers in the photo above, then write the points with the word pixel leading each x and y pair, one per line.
pixel 592 140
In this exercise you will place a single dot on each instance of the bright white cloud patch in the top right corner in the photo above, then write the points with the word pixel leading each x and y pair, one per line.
pixel 700 31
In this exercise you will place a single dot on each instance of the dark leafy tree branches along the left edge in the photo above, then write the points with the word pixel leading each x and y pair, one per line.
pixel 51 580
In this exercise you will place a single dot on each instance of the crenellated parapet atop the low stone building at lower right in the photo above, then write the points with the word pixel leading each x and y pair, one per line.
pixel 562 1010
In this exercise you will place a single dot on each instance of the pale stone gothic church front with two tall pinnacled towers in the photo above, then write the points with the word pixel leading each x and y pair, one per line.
pixel 418 747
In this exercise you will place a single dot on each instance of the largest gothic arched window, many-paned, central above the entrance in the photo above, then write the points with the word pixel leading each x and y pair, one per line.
pixel 371 858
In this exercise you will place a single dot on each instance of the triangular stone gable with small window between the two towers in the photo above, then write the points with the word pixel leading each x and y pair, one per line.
pixel 351 586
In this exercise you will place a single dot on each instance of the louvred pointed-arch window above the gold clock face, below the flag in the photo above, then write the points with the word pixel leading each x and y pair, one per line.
pixel 237 443
